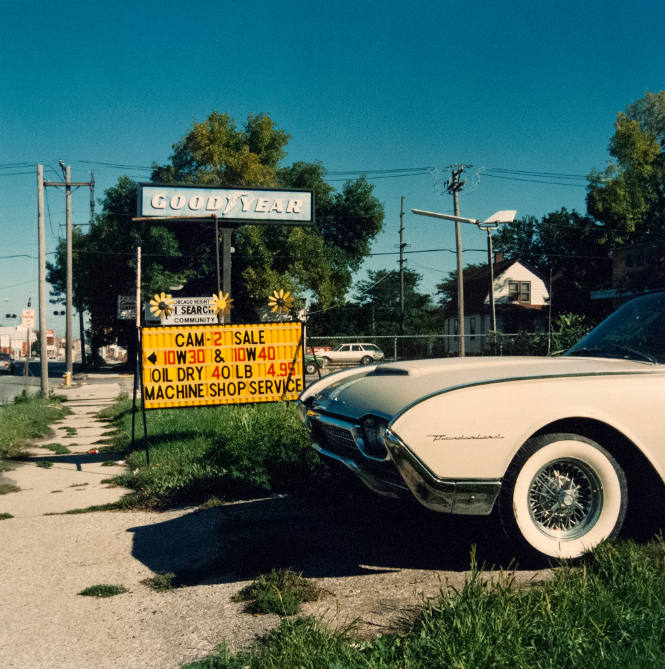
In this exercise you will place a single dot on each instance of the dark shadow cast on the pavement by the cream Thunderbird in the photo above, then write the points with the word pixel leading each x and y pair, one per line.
pixel 318 537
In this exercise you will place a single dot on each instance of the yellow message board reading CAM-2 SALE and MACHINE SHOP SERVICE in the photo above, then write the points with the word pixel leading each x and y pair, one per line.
pixel 221 364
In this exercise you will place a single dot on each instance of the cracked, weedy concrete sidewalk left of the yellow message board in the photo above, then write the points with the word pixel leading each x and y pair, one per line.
pixel 75 479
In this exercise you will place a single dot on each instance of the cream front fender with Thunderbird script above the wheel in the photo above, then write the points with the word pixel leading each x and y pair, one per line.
pixel 474 432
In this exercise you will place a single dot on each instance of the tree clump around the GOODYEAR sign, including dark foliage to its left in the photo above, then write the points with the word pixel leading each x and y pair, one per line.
pixel 315 261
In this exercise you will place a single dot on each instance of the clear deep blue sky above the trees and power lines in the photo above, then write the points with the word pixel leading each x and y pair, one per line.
pixel 530 88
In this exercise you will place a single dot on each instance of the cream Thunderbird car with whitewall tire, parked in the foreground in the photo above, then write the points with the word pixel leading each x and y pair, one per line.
pixel 557 445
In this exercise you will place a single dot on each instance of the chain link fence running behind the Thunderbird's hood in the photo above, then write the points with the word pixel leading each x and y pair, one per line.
pixel 411 347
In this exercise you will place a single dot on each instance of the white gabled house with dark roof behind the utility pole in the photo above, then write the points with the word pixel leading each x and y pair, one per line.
pixel 521 300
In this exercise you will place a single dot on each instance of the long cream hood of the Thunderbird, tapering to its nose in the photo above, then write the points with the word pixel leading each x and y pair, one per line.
pixel 386 389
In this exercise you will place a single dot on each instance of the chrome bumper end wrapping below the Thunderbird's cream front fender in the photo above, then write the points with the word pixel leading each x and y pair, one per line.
pixel 459 496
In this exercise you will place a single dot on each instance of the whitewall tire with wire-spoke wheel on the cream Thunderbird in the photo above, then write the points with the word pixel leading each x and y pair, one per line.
pixel 562 495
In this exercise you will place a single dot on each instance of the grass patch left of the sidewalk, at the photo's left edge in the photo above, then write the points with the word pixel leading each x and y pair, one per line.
pixel 27 418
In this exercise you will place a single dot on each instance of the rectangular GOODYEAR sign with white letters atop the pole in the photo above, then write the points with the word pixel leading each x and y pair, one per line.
pixel 293 207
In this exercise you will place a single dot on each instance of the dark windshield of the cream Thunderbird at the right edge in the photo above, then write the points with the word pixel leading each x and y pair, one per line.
pixel 636 331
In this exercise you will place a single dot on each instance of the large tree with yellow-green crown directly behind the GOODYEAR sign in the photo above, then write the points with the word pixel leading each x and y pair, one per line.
pixel 320 260
